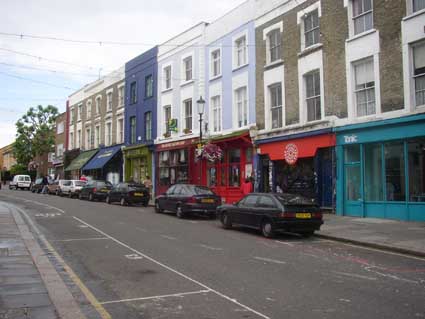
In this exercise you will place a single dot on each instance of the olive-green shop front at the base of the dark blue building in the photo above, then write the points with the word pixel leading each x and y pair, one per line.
pixel 138 163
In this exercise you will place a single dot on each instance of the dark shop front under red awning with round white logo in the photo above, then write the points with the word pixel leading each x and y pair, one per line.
pixel 301 163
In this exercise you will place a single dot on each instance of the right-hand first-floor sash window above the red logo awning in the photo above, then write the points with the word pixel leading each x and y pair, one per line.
pixel 312 86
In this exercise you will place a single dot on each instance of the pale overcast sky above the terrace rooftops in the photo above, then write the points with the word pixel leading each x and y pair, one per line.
pixel 134 21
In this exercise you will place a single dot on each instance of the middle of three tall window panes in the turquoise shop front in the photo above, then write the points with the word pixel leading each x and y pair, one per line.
pixel 394 172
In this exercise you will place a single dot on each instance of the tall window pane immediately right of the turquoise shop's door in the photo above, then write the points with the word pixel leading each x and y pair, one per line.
pixel 373 173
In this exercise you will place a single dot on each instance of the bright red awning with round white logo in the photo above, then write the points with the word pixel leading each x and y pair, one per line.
pixel 290 150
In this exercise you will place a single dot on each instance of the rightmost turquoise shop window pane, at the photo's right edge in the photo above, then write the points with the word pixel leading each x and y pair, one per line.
pixel 417 170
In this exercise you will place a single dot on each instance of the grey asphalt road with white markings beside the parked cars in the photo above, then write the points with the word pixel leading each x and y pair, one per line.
pixel 129 262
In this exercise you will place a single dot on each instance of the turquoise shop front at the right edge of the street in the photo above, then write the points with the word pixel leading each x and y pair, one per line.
pixel 381 169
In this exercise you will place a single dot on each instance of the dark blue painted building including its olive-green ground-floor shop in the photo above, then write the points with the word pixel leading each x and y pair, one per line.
pixel 141 79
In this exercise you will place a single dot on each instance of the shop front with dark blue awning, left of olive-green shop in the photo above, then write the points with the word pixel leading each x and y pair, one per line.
pixel 105 165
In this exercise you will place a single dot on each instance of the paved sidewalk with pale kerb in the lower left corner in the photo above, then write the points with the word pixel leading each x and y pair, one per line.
pixel 29 285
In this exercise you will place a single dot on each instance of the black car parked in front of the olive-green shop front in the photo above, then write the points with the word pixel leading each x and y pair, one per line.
pixel 128 194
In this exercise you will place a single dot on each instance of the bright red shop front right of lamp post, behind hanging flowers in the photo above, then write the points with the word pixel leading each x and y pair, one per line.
pixel 226 176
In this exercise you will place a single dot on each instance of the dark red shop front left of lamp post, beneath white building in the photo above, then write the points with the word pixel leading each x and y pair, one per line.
pixel 175 163
